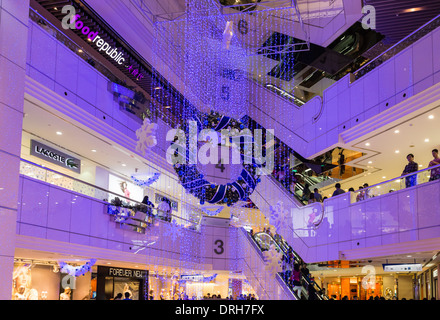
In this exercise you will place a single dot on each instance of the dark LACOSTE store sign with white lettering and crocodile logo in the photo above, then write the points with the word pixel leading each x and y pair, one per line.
pixel 54 156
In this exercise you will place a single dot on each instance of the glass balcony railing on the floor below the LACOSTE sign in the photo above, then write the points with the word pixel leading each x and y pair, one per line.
pixel 125 210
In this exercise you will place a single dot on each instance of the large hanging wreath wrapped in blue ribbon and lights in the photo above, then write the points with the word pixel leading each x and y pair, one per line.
pixel 195 183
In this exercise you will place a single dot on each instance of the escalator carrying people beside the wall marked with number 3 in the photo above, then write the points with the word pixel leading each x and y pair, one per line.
pixel 265 241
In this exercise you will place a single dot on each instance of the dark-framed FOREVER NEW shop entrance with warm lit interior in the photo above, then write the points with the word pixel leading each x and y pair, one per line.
pixel 111 281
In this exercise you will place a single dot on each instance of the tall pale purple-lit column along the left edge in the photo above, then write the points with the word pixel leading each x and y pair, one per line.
pixel 14 17
